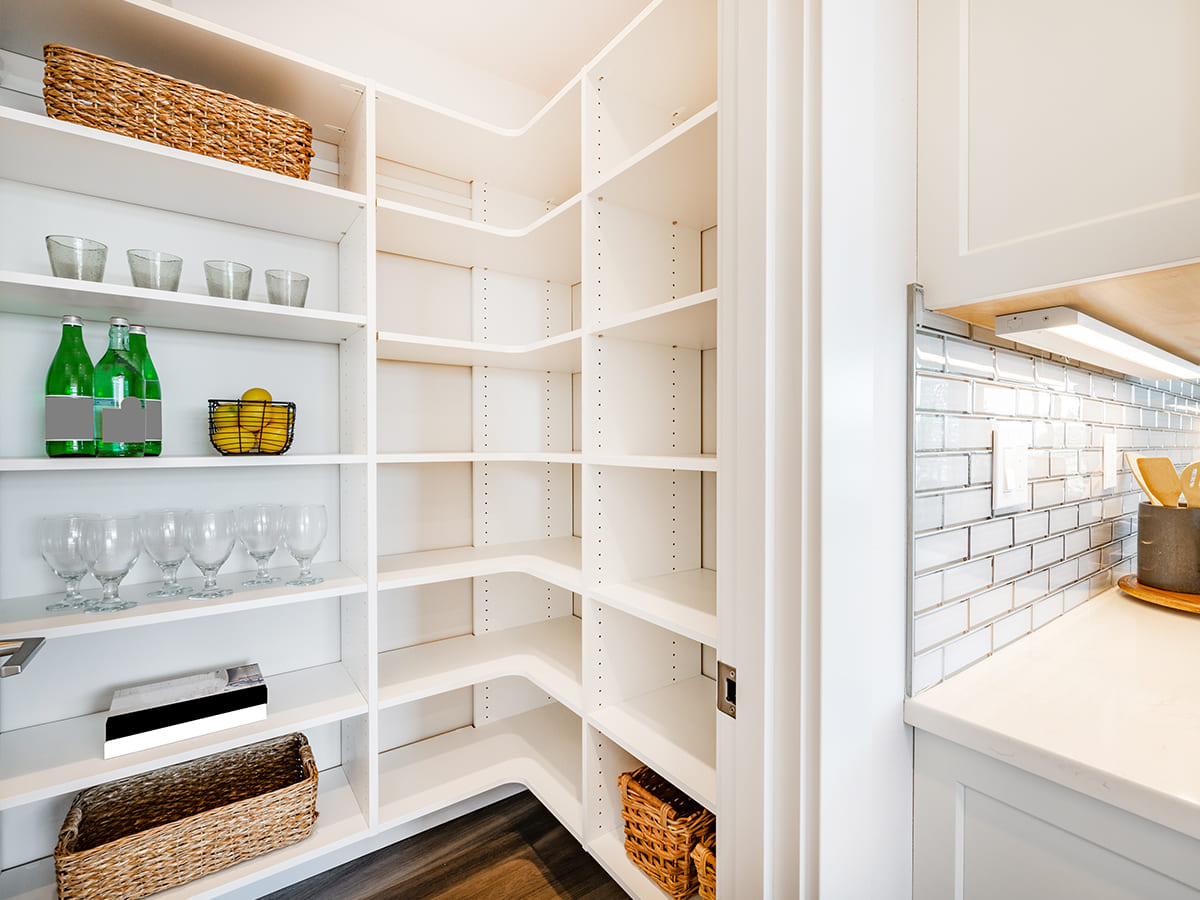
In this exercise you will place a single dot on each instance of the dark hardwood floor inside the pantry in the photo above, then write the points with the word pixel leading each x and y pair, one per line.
pixel 513 850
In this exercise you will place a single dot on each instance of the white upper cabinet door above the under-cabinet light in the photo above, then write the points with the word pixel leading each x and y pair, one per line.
pixel 1059 142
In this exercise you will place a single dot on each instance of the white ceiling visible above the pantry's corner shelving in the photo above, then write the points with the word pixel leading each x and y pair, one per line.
pixel 539 45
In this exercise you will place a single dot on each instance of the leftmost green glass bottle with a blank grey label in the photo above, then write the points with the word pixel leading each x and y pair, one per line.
pixel 69 404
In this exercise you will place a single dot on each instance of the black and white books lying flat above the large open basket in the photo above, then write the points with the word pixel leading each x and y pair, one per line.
pixel 161 713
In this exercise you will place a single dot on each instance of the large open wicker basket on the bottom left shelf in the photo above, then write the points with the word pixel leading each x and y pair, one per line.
pixel 142 835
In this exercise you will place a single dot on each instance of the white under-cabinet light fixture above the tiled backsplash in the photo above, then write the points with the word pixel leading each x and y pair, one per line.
pixel 1077 335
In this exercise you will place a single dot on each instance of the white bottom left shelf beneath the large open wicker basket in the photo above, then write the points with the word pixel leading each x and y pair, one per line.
pixel 340 823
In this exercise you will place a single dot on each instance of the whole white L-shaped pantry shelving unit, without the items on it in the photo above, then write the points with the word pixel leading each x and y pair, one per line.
pixel 506 380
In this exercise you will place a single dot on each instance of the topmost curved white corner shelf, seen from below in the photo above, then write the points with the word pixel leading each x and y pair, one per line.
pixel 539 160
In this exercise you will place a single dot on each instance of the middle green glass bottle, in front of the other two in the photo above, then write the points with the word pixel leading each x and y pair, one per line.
pixel 118 395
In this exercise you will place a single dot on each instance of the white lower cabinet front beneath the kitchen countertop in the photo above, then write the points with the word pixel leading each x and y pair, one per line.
pixel 986 830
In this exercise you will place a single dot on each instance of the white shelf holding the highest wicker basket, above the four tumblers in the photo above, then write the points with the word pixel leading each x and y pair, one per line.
pixel 67 157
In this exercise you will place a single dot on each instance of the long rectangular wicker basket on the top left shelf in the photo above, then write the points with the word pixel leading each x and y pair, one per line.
pixel 115 97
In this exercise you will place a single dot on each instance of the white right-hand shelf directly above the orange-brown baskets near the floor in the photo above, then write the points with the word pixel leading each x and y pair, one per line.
pixel 674 731
